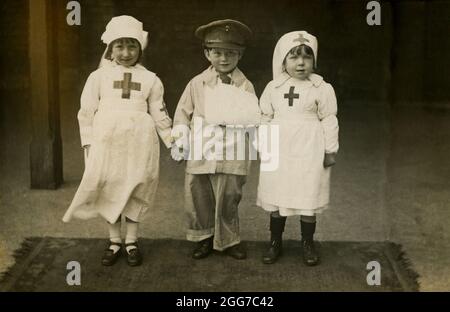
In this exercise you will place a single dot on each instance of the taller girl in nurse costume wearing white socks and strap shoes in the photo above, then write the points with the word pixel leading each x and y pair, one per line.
pixel 122 112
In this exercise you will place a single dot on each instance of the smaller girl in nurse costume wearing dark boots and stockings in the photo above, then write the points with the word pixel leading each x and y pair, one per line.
pixel 304 108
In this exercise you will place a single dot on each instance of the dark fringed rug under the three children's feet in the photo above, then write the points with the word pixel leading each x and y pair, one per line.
pixel 41 265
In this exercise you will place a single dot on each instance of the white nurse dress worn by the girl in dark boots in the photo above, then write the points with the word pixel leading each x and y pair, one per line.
pixel 305 112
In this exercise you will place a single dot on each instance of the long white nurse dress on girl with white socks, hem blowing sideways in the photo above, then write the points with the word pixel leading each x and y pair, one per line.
pixel 122 110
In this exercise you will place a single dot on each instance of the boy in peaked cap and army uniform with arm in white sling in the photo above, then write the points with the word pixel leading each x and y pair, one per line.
pixel 213 186
